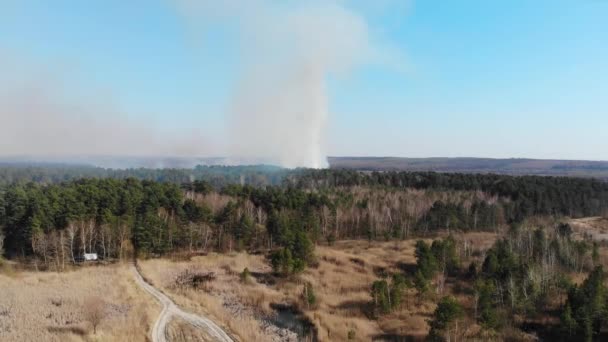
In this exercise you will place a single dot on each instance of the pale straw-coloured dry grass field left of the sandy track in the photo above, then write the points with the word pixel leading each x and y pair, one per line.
pixel 49 306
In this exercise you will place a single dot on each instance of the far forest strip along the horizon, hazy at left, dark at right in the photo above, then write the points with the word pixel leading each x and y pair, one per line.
pixel 529 195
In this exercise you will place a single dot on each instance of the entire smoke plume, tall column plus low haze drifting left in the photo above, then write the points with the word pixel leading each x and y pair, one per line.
pixel 277 113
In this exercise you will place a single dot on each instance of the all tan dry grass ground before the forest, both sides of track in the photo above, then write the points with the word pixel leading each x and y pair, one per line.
pixel 49 306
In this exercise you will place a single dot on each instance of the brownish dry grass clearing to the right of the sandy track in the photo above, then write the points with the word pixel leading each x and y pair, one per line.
pixel 341 281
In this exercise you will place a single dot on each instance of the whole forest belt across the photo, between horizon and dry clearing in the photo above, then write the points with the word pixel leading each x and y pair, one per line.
pixel 224 208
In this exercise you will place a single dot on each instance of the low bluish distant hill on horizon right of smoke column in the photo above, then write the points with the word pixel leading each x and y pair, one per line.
pixel 578 168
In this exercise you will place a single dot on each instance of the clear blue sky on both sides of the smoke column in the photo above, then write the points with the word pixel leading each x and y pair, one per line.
pixel 504 78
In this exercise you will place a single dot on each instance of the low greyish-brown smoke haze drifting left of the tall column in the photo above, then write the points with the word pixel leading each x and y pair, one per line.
pixel 45 117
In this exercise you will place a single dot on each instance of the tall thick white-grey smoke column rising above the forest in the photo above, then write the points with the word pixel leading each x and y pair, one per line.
pixel 280 108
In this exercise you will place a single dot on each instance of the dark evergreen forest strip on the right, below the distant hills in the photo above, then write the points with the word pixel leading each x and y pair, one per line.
pixel 529 195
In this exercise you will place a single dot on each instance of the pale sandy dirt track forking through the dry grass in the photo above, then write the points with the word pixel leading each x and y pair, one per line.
pixel 171 310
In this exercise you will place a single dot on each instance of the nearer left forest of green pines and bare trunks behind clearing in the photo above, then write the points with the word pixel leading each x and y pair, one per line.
pixel 59 223
